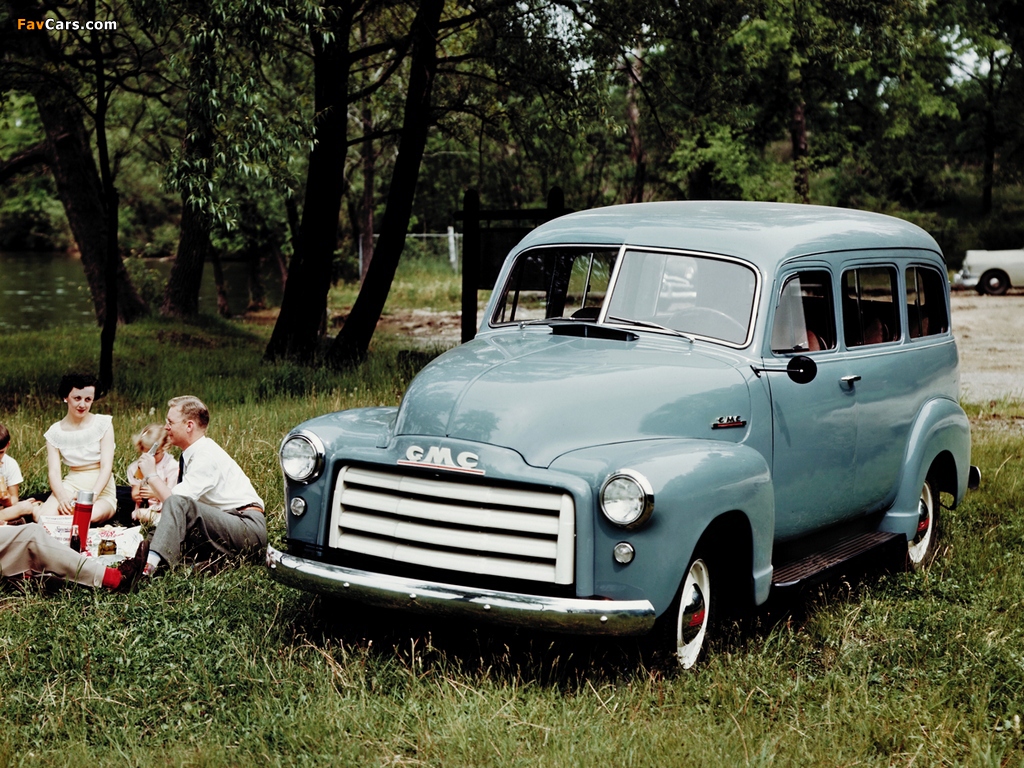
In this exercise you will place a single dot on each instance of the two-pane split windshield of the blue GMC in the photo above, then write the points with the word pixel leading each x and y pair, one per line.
pixel 700 296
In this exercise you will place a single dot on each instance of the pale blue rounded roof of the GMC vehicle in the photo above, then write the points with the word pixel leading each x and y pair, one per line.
pixel 765 234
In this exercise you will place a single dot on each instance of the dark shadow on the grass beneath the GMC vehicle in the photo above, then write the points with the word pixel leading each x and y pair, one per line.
pixel 569 663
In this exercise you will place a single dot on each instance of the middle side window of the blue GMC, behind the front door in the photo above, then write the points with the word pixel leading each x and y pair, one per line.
pixel 870 307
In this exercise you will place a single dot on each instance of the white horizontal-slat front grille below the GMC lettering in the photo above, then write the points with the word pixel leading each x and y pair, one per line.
pixel 486 530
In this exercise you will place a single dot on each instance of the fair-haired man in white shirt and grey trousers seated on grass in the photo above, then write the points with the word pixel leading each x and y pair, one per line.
pixel 215 502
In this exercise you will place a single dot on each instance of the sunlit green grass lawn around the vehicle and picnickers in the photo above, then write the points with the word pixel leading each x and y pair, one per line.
pixel 233 669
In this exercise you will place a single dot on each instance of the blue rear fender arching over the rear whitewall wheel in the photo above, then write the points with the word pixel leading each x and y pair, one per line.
pixel 941 432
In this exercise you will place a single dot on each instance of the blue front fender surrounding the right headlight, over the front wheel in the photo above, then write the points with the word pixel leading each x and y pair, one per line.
pixel 695 483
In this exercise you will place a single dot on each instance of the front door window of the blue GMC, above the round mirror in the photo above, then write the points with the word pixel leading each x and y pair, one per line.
pixel 805 320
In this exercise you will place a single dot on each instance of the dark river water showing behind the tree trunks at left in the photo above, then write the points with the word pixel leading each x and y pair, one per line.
pixel 41 290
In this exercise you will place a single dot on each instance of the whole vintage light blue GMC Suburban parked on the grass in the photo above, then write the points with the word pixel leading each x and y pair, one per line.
pixel 670 409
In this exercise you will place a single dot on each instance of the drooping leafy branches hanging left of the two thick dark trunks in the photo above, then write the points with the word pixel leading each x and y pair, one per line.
pixel 240 132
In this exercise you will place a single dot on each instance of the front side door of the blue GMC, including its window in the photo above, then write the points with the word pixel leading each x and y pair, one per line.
pixel 815 424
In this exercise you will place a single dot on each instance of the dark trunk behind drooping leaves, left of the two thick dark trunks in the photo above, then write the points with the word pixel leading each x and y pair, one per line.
pixel 182 294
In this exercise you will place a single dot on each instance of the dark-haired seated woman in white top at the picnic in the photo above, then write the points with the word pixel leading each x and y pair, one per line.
pixel 83 442
